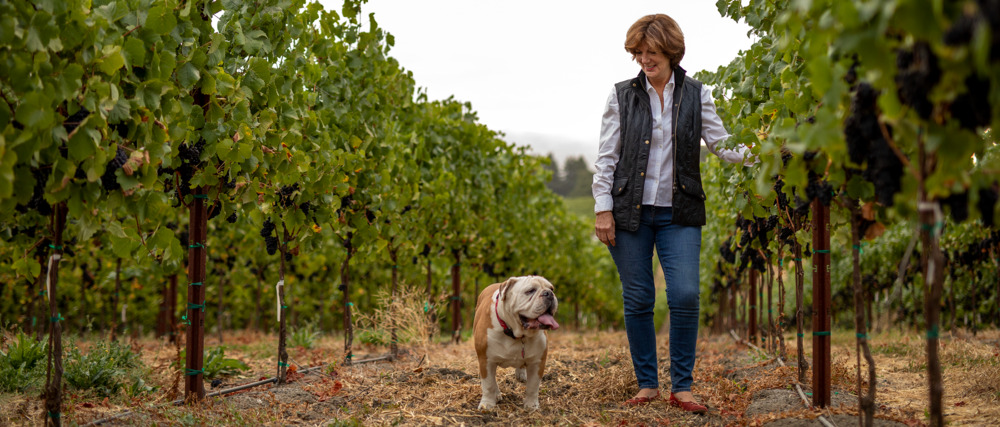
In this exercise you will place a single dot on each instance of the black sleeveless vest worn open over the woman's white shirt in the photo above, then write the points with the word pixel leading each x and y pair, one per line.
pixel 636 135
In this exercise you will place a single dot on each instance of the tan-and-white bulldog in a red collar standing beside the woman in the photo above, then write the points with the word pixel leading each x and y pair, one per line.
pixel 509 332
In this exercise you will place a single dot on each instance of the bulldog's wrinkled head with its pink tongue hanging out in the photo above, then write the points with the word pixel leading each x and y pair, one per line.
pixel 531 301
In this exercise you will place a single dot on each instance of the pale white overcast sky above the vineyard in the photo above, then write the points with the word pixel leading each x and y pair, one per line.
pixel 540 70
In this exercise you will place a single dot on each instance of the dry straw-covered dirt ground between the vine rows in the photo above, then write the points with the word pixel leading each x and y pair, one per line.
pixel 588 376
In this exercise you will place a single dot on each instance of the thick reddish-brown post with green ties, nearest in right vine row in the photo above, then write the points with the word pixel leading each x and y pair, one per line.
pixel 821 303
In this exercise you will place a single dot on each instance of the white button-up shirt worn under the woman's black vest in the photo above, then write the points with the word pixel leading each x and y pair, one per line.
pixel 658 187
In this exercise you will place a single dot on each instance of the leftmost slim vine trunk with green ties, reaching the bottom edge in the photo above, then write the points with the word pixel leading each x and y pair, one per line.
pixel 53 377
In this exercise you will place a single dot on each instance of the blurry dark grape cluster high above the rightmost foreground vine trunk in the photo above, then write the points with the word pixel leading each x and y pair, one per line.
pixel 918 73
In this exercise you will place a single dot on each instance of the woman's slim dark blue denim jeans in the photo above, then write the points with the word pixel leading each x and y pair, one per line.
pixel 679 249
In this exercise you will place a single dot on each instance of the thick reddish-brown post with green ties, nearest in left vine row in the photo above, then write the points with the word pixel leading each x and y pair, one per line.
pixel 194 386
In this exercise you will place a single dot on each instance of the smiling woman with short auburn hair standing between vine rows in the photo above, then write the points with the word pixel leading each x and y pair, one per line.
pixel 648 193
